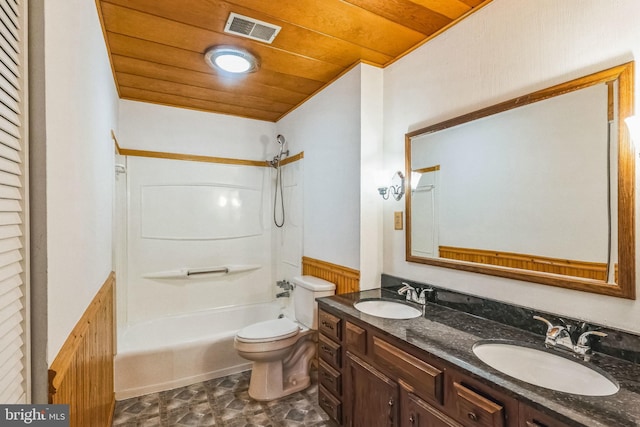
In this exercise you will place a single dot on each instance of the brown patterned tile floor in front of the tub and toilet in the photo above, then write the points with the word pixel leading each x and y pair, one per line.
pixel 222 402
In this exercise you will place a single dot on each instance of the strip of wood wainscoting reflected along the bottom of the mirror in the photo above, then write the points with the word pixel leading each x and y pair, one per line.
pixel 588 270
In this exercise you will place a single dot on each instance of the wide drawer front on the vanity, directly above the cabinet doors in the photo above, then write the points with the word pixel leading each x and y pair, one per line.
pixel 427 380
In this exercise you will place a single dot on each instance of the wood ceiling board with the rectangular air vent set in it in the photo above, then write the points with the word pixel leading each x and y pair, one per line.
pixel 212 16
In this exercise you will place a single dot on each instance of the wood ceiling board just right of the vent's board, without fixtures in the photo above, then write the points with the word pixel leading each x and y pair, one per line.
pixel 341 20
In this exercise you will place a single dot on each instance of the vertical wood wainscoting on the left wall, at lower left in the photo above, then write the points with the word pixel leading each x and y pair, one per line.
pixel 82 373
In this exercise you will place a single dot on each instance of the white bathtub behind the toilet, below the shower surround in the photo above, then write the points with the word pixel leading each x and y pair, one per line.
pixel 175 351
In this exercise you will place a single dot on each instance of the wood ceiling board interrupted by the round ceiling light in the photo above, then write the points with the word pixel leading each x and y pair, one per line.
pixel 163 54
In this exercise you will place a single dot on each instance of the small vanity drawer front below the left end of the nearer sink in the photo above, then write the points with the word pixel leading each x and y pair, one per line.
pixel 474 409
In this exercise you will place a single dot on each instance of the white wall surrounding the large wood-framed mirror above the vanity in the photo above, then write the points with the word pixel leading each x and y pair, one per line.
pixel 507 49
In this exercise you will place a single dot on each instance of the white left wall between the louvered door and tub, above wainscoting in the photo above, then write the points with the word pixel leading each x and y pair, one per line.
pixel 81 109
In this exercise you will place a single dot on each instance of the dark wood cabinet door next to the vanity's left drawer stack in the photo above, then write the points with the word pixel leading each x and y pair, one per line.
pixel 371 397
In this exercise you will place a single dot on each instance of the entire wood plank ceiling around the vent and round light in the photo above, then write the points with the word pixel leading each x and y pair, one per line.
pixel 157 47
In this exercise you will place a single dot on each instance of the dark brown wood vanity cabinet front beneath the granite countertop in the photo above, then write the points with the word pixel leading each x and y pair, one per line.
pixel 368 379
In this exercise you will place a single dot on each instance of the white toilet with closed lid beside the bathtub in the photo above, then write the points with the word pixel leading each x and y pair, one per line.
pixel 282 349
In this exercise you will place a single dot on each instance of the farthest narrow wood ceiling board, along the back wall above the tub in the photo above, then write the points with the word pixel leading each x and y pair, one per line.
pixel 134 94
